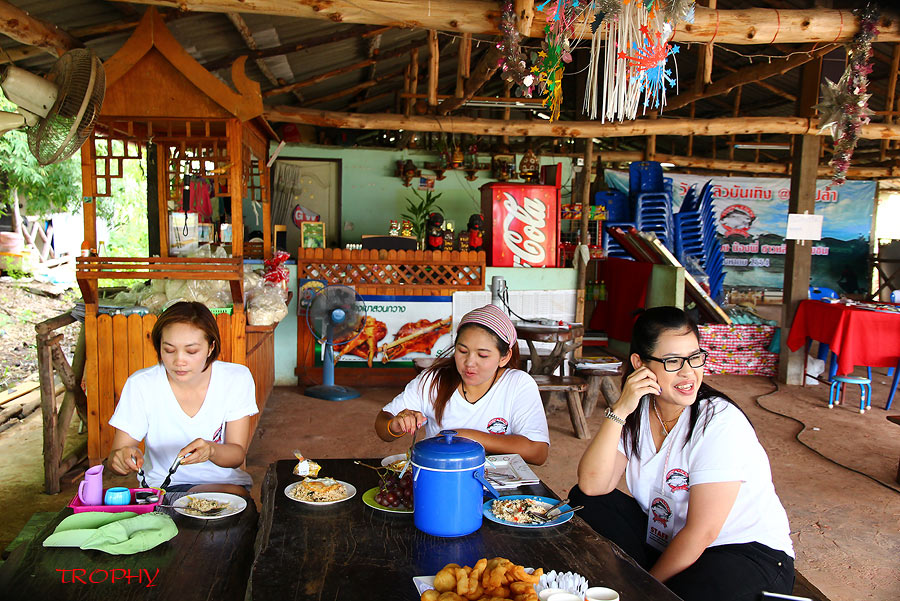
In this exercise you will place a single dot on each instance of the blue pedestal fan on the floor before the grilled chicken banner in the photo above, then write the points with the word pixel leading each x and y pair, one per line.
pixel 335 313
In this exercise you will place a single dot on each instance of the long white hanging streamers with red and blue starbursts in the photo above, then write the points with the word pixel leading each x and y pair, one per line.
pixel 634 64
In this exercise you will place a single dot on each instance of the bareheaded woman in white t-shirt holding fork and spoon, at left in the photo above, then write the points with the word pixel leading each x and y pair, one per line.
pixel 190 406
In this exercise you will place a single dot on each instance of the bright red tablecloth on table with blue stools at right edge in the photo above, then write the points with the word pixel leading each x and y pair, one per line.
pixel 857 336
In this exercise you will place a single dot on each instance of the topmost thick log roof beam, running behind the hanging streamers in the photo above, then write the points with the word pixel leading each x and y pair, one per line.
pixel 742 26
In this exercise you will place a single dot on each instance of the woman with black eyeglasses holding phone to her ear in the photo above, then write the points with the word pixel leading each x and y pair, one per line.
pixel 703 516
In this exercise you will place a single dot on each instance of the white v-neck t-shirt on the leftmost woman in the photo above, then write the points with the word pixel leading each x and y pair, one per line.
pixel 148 411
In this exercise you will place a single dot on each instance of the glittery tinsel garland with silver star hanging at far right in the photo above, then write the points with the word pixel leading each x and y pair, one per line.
pixel 844 105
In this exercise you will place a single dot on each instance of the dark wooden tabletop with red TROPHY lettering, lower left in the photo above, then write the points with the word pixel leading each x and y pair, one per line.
pixel 207 559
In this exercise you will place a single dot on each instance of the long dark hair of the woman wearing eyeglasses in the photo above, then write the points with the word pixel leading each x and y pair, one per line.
pixel 645 334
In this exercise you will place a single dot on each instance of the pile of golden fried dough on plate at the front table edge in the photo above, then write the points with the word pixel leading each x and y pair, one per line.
pixel 489 579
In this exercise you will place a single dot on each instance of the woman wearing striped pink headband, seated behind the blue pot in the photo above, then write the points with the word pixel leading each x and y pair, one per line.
pixel 477 391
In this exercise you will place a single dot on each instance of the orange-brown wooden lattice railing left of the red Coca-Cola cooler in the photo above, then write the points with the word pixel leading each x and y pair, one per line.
pixel 421 273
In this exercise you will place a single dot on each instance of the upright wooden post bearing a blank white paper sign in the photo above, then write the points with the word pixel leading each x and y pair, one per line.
pixel 798 259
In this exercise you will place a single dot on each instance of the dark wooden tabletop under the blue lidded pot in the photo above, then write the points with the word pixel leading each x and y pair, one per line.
pixel 351 551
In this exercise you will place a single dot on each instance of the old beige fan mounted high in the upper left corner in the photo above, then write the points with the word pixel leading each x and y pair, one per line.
pixel 58 112
